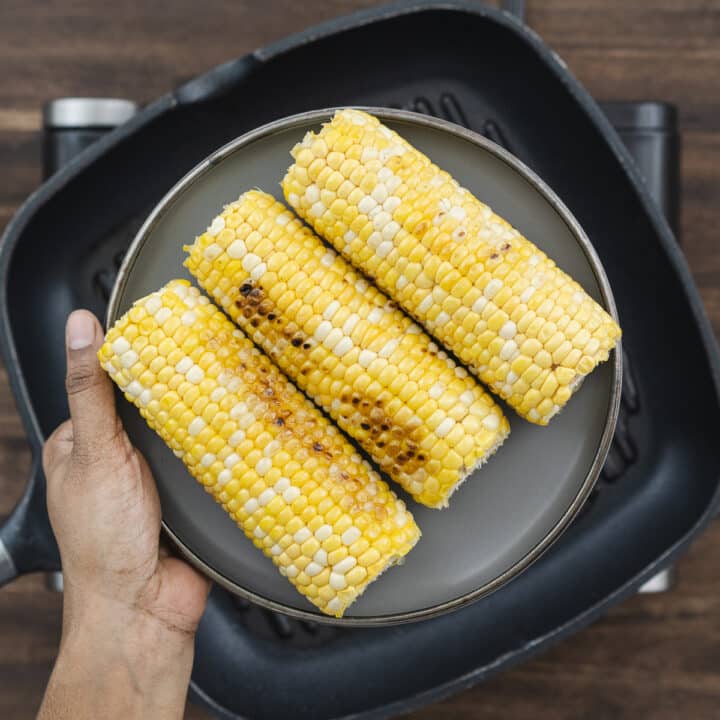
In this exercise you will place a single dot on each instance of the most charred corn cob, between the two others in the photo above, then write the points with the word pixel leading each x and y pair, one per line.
pixel 425 421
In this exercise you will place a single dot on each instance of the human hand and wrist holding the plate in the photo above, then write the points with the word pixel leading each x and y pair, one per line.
pixel 130 611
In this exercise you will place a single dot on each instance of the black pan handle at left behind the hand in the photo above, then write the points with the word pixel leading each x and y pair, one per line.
pixel 27 543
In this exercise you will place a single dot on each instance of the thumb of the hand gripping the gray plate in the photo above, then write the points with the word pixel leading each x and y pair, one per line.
pixel 90 394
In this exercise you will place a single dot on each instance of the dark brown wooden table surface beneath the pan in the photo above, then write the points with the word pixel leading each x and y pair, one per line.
pixel 652 657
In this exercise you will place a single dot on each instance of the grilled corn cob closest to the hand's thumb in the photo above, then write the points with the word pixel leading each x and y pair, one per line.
pixel 279 468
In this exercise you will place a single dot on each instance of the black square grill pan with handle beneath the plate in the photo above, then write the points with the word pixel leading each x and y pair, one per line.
pixel 483 69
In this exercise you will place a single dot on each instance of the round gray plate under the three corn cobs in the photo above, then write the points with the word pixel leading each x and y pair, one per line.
pixel 500 520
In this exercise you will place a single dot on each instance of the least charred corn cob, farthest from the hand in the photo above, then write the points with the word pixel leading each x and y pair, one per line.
pixel 505 309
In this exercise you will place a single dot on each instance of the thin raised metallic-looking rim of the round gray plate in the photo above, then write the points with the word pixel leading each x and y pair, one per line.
pixel 316 117
